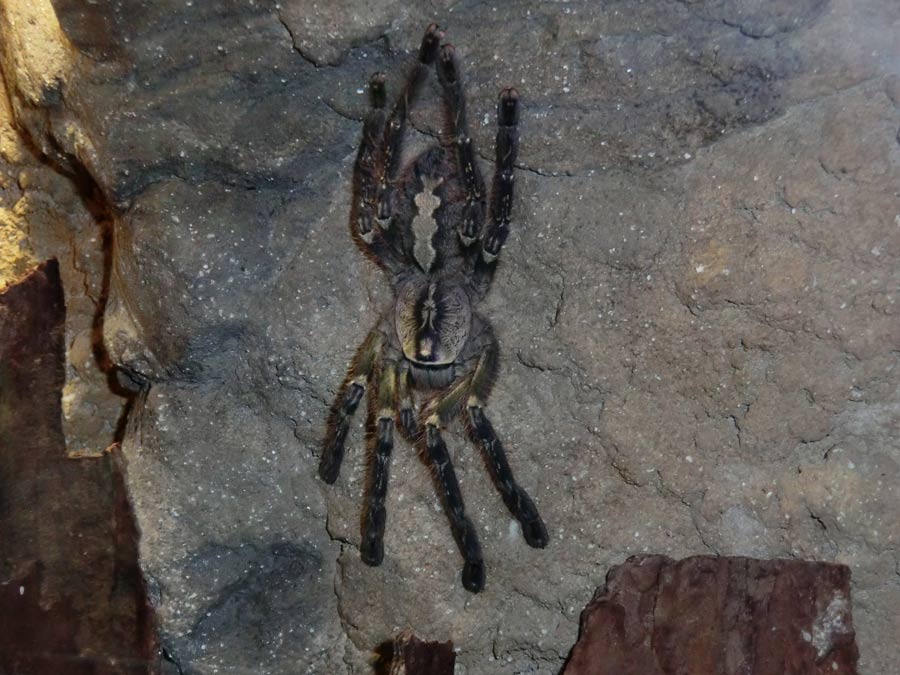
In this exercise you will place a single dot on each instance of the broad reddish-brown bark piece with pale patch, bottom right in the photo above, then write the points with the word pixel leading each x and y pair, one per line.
pixel 718 616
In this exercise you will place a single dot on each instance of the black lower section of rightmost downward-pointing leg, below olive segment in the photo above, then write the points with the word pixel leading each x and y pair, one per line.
pixel 516 499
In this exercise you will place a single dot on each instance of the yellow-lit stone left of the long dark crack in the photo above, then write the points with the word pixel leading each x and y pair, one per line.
pixel 46 210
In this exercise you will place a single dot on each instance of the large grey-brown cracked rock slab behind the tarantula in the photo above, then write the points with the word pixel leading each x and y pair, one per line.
pixel 697 308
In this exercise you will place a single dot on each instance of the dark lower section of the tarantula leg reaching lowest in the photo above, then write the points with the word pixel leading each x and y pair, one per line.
pixel 451 497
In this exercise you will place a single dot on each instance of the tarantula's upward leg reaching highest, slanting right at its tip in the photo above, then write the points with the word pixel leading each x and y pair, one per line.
pixel 396 122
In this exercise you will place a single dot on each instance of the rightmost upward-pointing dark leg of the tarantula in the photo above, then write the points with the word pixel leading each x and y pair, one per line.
pixel 501 190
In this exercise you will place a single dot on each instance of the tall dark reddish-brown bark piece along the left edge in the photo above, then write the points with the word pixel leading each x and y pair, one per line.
pixel 72 598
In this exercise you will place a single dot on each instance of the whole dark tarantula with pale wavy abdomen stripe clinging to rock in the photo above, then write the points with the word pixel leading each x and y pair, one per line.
pixel 431 339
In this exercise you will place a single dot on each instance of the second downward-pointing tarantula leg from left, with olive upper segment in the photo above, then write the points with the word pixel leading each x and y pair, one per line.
pixel 371 548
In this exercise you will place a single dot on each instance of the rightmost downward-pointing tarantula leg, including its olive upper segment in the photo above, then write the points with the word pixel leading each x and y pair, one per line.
pixel 483 435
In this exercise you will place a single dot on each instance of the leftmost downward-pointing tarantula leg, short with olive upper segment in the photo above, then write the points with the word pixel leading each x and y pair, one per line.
pixel 345 404
